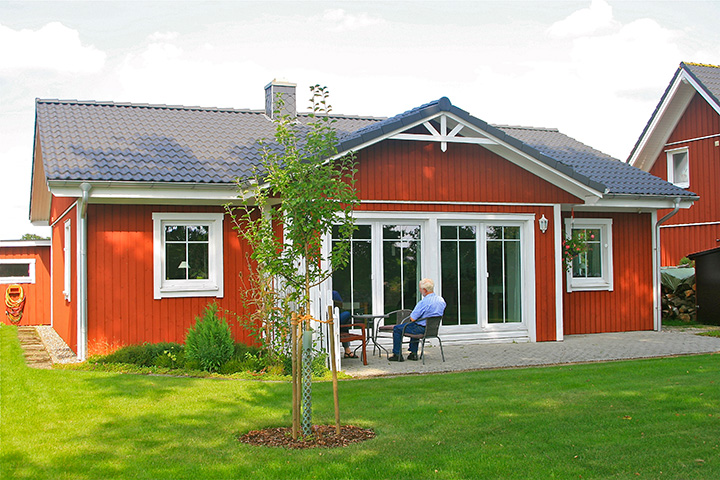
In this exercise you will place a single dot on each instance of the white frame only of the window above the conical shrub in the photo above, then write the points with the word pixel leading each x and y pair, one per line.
pixel 210 287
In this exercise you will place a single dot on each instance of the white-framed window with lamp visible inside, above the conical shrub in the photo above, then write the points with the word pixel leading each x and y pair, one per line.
pixel 188 254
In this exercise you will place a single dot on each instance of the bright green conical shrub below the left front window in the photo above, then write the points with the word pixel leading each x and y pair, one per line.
pixel 209 342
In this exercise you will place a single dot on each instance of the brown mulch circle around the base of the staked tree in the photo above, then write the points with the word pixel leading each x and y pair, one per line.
pixel 323 436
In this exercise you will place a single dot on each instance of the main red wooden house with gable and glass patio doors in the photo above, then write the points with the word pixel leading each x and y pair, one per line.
pixel 134 192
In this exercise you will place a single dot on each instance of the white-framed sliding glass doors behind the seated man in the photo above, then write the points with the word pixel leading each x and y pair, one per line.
pixel 482 266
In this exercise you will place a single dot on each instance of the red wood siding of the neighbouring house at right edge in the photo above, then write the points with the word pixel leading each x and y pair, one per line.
pixel 699 120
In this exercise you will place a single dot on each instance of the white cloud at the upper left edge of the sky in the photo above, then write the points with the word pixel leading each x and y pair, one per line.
pixel 52 47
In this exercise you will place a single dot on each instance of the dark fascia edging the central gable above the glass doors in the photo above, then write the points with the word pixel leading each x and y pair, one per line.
pixel 431 109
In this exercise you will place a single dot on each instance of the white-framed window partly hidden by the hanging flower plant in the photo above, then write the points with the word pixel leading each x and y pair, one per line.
pixel 591 270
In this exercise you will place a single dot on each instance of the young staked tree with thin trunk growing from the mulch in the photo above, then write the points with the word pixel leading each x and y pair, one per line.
pixel 304 189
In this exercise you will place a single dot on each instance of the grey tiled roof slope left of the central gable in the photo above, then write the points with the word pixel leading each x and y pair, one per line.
pixel 96 141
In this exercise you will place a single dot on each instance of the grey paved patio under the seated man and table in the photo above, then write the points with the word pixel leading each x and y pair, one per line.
pixel 599 347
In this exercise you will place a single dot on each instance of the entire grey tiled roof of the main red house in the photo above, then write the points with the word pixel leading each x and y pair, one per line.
pixel 96 141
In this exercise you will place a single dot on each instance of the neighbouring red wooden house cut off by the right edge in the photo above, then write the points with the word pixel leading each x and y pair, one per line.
pixel 681 143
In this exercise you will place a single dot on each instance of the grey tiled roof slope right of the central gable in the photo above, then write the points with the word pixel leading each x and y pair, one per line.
pixel 618 177
